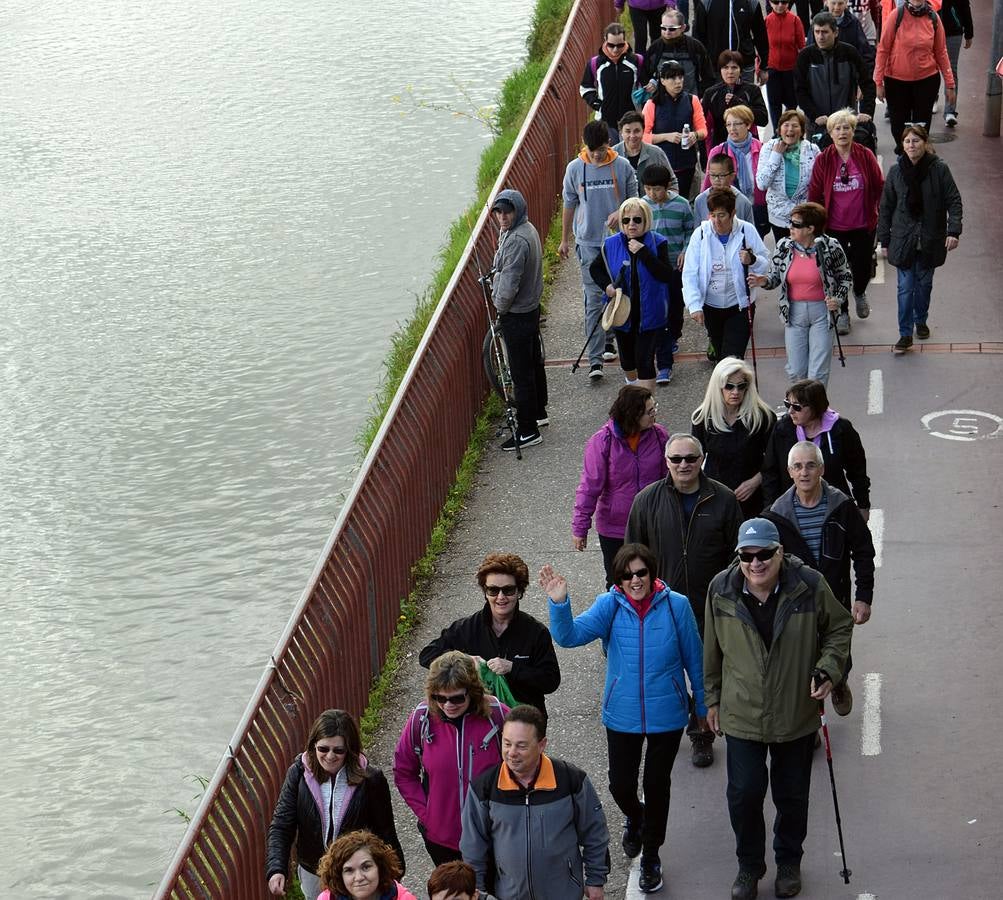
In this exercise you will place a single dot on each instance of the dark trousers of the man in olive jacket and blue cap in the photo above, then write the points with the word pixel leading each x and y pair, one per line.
pixel 790 782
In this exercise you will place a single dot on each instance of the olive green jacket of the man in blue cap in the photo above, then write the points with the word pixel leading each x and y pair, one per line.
pixel 763 696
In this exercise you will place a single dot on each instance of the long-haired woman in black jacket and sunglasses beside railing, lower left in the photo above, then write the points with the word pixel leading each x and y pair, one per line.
pixel 330 790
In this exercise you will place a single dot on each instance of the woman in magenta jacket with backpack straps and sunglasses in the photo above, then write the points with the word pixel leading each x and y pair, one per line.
pixel 450 739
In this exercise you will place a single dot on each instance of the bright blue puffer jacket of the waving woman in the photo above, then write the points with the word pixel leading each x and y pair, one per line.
pixel 645 689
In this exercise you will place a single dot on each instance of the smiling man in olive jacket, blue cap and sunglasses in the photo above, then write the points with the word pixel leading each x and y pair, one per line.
pixel 776 641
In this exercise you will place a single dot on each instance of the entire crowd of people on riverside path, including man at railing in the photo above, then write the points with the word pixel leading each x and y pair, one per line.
pixel 738 557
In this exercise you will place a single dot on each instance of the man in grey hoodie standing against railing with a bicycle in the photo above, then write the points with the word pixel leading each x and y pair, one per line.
pixel 517 286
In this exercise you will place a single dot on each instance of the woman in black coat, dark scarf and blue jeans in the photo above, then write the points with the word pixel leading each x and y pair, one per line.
pixel 919 221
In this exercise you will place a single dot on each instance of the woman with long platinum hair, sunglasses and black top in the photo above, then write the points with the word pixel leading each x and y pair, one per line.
pixel 735 424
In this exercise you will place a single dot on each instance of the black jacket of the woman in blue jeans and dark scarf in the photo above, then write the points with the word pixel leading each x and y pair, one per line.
pixel 942 211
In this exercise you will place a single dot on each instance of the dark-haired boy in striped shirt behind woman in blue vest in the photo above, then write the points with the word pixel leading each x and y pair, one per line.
pixel 673 218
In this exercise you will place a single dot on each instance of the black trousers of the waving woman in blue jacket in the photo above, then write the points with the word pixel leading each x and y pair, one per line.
pixel 625 764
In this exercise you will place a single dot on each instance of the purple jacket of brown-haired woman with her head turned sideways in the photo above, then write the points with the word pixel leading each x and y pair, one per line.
pixel 612 474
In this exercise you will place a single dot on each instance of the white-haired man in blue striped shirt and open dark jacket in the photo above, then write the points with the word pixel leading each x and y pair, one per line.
pixel 823 527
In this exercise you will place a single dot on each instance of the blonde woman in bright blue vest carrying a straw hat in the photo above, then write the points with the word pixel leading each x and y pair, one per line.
pixel 637 261
